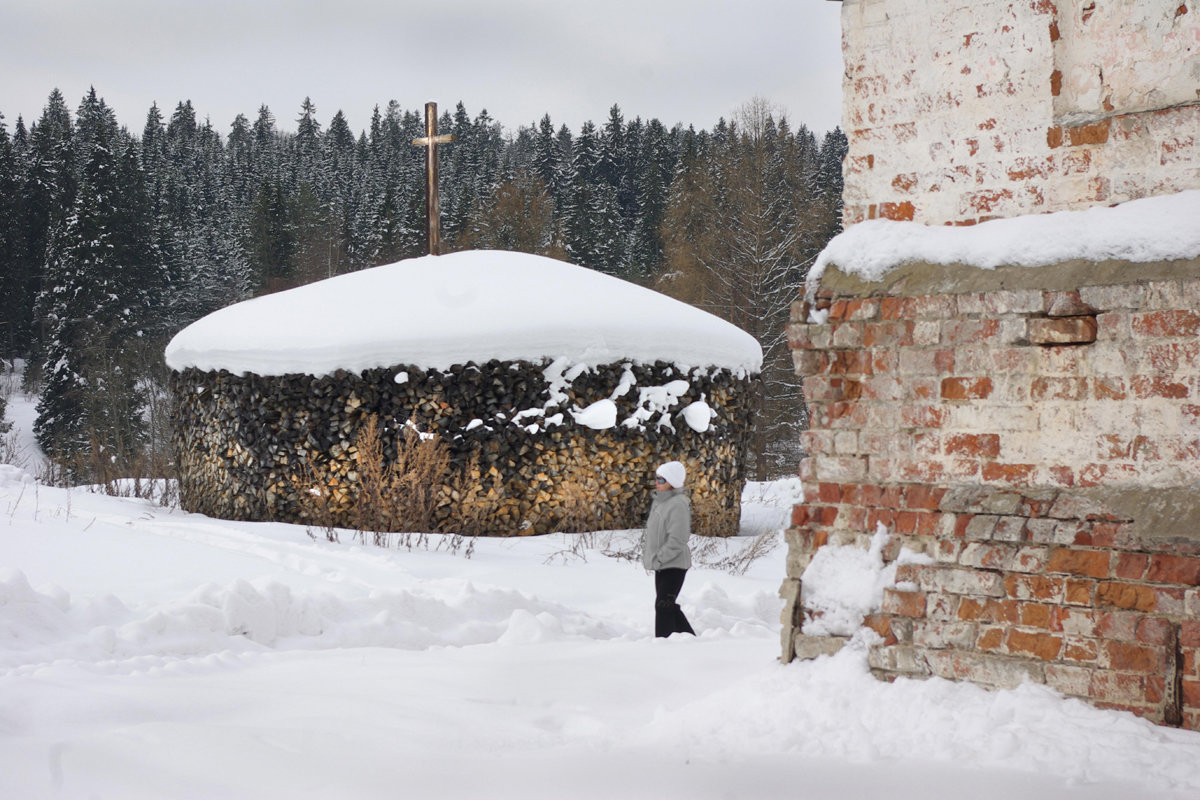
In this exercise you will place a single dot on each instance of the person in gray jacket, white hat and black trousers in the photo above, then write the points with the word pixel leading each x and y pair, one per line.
pixel 665 548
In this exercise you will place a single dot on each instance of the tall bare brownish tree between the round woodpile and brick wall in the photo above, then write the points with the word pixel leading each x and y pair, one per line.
pixel 742 228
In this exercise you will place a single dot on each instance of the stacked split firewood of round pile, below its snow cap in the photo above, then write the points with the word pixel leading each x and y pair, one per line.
pixel 526 454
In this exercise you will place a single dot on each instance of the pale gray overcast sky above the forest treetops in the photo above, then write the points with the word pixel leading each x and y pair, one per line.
pixel 688 62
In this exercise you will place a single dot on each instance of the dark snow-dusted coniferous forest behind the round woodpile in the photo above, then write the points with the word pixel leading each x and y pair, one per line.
pixel 113 240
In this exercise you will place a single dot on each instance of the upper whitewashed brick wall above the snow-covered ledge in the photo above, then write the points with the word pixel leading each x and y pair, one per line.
pixel 963 112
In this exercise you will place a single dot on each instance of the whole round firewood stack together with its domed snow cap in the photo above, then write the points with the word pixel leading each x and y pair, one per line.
pixel 557 422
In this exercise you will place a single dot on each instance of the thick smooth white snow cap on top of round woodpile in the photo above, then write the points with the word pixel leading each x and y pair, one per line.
pixel 439 311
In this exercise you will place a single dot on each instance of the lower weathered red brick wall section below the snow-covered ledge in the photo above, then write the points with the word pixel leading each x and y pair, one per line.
pixel 1042 447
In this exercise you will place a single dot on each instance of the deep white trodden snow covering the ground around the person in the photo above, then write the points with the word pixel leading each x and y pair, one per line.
pixel 148 653
